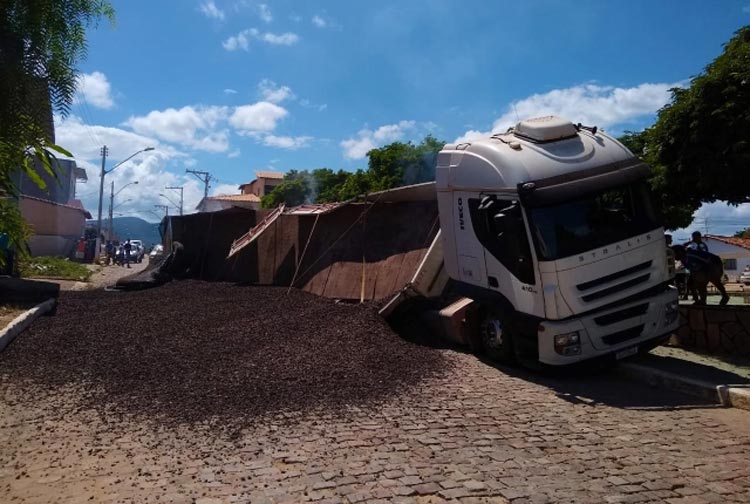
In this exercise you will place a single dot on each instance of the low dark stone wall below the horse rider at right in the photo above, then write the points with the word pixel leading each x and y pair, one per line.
pixel 715 329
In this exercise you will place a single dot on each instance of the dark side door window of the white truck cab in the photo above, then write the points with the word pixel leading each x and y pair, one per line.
pixel 500 229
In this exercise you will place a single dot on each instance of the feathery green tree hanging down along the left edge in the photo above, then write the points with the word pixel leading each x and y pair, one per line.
pixel 41 41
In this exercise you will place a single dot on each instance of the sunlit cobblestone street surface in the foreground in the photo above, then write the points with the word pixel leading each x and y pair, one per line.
pixel 477 434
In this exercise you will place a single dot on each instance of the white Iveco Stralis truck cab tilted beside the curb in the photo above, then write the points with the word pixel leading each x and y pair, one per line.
pixel 549 228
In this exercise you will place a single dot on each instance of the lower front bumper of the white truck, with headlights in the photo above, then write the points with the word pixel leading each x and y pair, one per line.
pixel 619 331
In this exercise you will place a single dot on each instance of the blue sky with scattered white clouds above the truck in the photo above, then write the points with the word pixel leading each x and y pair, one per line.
pixel 233 86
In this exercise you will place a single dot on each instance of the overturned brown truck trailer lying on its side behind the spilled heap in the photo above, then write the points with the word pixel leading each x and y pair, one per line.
pixel 364 249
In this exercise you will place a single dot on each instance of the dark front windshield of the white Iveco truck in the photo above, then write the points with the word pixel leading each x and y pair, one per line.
pixel 592 221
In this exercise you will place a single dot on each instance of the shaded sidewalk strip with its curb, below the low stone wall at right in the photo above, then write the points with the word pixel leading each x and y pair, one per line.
pixel 722 379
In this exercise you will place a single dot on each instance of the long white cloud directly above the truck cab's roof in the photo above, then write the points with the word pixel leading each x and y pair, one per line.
pixel 591 104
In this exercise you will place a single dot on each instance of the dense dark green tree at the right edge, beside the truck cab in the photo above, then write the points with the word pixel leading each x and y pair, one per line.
pixel 700 144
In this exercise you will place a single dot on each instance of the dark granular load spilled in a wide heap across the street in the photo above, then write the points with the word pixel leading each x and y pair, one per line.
pixel 191 351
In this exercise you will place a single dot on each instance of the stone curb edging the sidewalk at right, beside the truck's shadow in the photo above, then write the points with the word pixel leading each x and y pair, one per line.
pixel 733 396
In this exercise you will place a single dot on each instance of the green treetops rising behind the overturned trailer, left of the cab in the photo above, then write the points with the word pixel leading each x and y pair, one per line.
pixel 390 166
